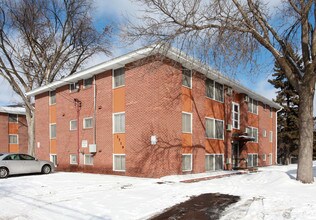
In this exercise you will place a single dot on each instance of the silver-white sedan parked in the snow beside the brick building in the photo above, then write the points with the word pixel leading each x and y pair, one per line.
pixel 16 163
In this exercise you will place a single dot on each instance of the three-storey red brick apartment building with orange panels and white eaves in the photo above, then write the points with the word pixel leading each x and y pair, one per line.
pixel 140 115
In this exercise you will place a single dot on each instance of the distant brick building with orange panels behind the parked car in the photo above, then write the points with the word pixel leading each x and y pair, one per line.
pixel 13 130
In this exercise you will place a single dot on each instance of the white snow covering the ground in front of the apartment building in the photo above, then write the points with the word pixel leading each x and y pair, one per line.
pixel 272 193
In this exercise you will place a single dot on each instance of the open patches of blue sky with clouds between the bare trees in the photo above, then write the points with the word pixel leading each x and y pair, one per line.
pixel 113 12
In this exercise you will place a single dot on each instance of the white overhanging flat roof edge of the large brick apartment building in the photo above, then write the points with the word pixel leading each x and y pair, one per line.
pixel 171 53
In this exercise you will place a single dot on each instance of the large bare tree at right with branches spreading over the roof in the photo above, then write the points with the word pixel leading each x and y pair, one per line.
pixel 234 32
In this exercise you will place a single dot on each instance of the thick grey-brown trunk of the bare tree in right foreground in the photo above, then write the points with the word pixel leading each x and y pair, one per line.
pixel 306 129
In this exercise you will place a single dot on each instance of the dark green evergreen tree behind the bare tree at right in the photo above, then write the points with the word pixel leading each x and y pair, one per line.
pixel 288 119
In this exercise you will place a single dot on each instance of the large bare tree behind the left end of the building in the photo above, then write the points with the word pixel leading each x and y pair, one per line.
pixel 42 40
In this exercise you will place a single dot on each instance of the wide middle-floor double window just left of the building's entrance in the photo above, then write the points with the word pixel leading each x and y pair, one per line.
pixel 214 128
